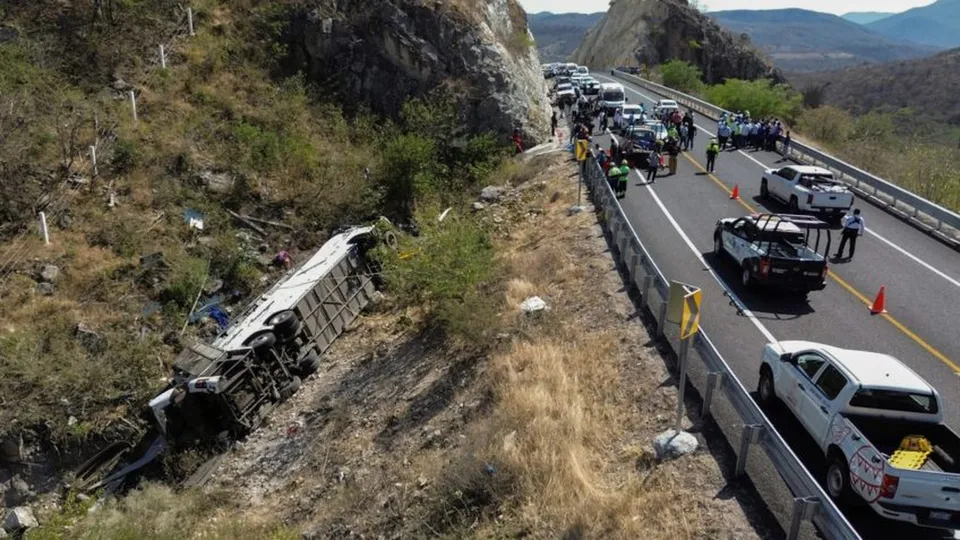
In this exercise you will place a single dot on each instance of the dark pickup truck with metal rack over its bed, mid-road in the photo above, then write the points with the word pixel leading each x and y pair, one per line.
pixel 774 249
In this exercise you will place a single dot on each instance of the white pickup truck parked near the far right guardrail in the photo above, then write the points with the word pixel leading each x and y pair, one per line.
pixel 805 188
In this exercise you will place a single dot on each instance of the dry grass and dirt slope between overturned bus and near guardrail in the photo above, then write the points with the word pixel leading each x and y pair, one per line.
pixel 404 435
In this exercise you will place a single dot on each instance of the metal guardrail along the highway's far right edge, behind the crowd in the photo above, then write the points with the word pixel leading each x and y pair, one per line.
pixel 926 214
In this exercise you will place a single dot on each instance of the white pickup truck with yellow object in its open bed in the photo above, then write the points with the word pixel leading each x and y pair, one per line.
pixel 878 424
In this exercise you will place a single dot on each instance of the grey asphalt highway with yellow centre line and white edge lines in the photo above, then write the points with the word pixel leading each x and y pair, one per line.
pixel 676 218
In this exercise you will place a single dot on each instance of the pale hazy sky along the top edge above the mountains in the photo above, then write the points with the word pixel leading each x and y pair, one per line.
pixel 828 6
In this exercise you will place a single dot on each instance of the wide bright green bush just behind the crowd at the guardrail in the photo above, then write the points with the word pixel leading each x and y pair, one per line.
pixel 761 97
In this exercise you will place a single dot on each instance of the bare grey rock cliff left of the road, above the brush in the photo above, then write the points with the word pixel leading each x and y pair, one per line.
pixel 382 52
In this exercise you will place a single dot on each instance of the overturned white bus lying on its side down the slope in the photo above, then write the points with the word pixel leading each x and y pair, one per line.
pixel 222 390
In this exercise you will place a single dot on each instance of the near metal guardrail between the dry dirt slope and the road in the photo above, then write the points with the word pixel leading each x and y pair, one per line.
pixel 796 499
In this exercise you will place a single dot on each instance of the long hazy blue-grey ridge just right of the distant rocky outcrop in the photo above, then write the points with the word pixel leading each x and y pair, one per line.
pixel 802 40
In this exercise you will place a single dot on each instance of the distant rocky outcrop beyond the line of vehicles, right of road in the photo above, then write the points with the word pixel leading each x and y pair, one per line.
pixel 653 31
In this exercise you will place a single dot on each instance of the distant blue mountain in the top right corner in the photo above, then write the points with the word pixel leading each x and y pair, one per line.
pixel 937 24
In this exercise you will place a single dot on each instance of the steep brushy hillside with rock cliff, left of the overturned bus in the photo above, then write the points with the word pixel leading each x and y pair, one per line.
pixel 401 106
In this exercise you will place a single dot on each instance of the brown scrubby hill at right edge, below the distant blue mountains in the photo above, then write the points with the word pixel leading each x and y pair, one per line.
pixel 925 85
